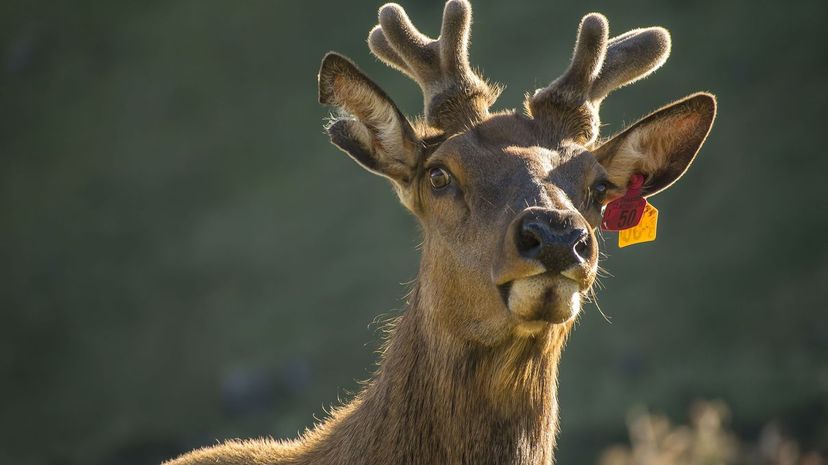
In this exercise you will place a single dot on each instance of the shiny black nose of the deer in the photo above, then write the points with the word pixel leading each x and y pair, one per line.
pixel 553 238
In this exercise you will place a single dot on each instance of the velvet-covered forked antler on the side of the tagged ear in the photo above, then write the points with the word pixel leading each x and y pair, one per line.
pixel 598 67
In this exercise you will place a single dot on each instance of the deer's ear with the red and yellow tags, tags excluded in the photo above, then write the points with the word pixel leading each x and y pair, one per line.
pixel 660 146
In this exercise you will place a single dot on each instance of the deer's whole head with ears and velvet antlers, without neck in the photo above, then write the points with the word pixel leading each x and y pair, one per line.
pixel 508 202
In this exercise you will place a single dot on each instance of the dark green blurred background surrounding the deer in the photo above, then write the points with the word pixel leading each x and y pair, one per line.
pixel 186 258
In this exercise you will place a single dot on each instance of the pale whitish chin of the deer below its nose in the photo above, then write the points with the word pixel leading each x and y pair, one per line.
pixel 543 299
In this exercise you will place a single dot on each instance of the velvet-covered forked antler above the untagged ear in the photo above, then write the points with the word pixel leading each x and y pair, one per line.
pixel 454 95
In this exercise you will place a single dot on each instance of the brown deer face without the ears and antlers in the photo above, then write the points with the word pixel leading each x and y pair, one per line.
pixel 514 221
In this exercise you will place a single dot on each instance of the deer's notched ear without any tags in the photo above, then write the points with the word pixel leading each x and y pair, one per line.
pixel 373 131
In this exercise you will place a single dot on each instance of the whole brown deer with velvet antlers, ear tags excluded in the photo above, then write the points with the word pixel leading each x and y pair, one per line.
pixel 509 205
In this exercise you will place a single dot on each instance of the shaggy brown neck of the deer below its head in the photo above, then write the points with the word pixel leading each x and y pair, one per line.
pixel 437 399
